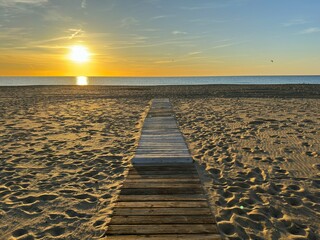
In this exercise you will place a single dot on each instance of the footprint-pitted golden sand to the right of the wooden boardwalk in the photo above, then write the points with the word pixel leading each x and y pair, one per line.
pixel 263 160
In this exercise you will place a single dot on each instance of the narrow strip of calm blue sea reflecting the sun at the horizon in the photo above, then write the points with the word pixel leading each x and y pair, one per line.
pixel 156 81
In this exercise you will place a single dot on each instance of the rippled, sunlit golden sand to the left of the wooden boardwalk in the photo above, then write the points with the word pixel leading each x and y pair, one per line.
pixel 62 164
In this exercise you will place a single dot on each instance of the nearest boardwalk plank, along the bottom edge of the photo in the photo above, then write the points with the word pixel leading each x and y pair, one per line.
pixel 167 236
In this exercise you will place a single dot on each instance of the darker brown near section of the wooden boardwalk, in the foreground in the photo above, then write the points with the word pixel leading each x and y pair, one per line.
pixel 162 208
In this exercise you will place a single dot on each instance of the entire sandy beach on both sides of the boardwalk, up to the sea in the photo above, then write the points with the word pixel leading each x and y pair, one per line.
pixel 64 152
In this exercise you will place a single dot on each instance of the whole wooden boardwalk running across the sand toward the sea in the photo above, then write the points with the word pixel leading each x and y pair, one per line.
pixel 162 197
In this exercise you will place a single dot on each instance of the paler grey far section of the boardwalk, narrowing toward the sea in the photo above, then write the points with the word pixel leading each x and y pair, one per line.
pixel 161 141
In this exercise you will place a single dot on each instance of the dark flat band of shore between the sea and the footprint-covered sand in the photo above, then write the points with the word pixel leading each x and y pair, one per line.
pixel 310 91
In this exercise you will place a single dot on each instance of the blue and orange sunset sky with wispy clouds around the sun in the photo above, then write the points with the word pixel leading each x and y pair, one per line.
pixel 160 37
